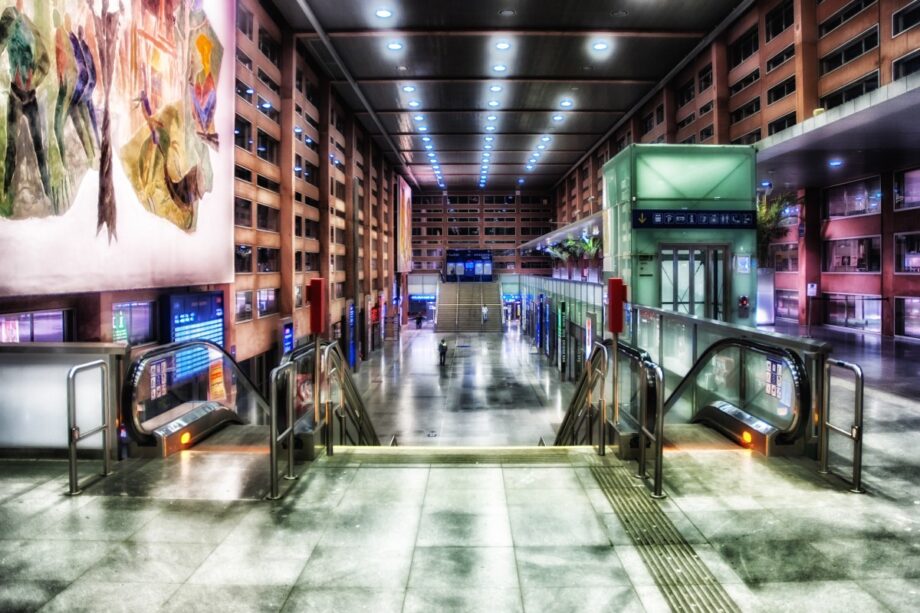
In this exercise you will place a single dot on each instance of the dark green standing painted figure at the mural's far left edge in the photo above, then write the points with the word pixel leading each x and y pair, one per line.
pixel 29 64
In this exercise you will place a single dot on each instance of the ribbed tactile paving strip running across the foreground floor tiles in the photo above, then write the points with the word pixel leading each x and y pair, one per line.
pixel 684 580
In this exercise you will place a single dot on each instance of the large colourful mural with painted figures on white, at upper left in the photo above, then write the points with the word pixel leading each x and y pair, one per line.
pixel 117 158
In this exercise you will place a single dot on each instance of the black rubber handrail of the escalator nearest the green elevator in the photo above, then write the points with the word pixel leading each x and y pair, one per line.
pixel 791 360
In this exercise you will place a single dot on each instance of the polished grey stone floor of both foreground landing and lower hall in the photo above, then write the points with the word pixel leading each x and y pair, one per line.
pixel 436 528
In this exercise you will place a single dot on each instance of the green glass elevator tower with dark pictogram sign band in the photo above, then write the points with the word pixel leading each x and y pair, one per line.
pixel 680 228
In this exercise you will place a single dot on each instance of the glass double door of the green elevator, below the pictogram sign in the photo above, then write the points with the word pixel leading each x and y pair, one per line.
pixel 694 279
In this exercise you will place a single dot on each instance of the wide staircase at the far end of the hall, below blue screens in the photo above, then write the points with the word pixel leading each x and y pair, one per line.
pixel 460 307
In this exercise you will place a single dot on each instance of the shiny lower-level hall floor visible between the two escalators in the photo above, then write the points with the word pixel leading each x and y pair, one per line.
pixel 494 390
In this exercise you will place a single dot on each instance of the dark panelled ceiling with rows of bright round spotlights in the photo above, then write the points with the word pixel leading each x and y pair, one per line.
pixel 572 69
